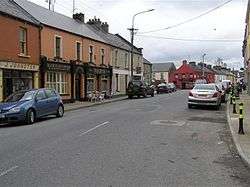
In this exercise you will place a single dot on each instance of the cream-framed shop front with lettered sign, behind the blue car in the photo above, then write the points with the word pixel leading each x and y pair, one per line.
pixel 17 76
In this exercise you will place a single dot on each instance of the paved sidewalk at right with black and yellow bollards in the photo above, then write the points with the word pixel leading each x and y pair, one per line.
pixel 242 142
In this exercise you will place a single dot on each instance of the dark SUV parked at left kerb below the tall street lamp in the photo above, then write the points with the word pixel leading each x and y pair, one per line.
pixel 139 88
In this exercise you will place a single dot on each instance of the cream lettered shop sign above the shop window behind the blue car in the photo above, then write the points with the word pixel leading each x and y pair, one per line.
pixel 19 66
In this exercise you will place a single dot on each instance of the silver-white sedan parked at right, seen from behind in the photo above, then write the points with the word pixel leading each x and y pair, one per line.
pixel 204 94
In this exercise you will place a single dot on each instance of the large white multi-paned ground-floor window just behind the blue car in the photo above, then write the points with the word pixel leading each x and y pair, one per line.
pixel 57 81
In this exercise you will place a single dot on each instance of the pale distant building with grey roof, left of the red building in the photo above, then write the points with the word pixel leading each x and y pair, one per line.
pixel 161 71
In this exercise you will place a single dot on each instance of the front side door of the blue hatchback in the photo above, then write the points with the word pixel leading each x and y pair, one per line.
pixel 41 104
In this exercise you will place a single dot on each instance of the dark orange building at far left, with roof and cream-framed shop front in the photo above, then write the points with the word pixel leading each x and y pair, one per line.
pixel 19 51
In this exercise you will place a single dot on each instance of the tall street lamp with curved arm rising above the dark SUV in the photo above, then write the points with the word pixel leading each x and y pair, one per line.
pixel 132 30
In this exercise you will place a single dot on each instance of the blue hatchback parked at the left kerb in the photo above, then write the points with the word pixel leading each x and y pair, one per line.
pixel 29 105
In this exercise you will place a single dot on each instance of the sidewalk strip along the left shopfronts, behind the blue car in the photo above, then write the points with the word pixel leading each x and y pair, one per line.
pixel 85 104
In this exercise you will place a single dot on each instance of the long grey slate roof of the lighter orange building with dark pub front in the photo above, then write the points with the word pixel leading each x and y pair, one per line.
pixel 58 20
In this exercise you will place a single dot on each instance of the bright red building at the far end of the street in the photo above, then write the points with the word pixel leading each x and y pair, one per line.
pixel 185 76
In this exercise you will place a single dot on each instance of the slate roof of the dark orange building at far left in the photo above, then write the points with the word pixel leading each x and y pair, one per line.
pixel 12 9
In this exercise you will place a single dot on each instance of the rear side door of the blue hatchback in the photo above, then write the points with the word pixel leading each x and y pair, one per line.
pixel 52 101
